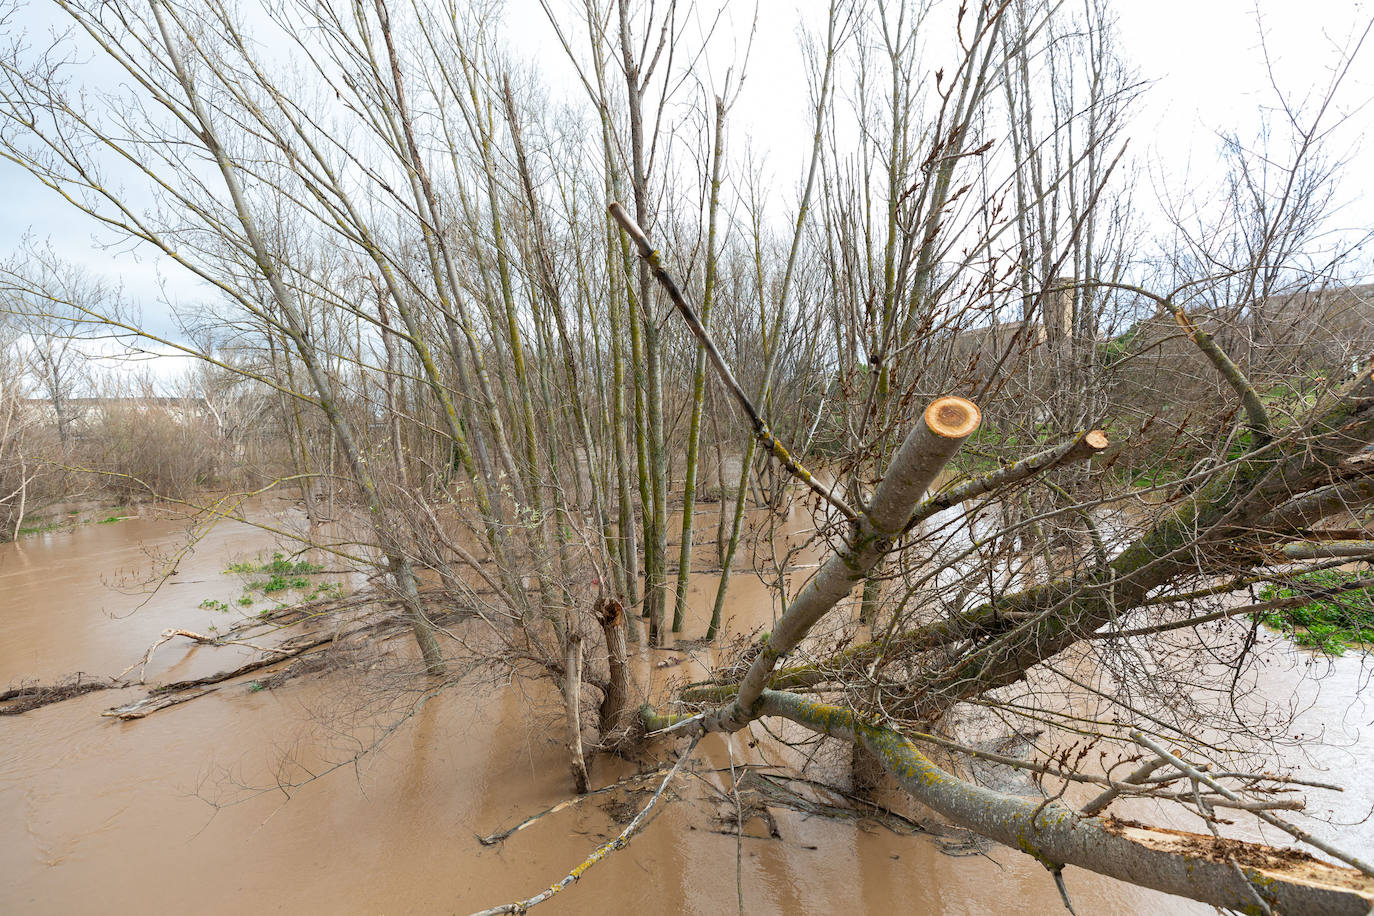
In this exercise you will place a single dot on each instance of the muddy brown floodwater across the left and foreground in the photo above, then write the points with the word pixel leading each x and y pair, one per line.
pixel 117 818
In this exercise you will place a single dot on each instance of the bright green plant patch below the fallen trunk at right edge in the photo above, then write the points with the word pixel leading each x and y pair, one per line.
pixel 1329 626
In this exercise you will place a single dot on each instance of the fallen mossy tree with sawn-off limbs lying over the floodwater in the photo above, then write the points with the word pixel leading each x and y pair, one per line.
pixel 1004 641
